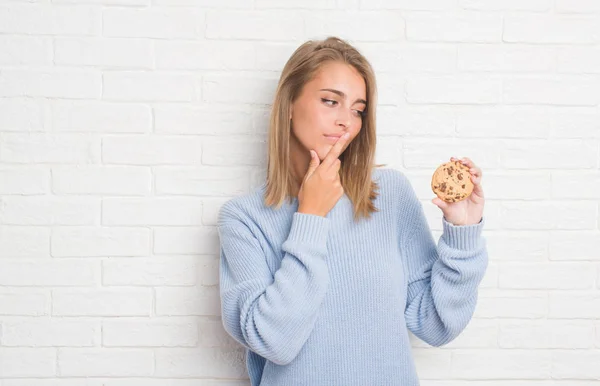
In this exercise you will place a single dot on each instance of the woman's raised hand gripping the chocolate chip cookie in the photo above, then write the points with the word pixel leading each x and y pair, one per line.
pixel 470 210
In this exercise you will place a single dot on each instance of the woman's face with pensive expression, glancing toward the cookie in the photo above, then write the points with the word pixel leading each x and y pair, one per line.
pixel 329 105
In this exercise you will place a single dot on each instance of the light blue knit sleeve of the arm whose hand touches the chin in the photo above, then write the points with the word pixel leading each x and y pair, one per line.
pixel 273 314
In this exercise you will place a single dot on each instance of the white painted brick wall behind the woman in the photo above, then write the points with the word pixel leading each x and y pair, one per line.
pixel 125 125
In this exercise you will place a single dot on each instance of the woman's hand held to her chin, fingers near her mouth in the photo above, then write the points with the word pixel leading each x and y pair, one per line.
pixel 321 188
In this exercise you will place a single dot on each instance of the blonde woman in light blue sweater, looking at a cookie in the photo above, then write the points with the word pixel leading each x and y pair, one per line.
pixel 328 264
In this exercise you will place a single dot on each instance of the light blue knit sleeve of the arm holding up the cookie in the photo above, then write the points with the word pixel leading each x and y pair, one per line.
pixel 443 280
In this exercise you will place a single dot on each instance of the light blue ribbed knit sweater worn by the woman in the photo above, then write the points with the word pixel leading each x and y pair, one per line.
pixel 326 301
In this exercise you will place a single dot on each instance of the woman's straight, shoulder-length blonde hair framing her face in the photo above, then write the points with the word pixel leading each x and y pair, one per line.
pixel 357 159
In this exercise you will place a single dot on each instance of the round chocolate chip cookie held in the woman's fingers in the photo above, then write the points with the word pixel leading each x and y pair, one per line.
pixel 452 182
